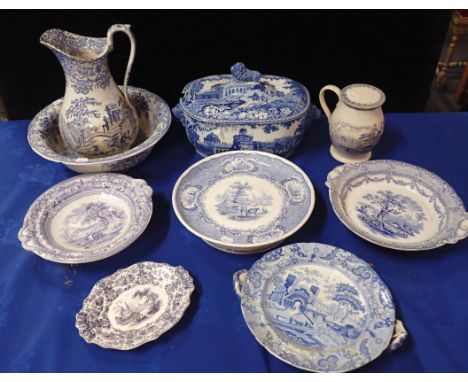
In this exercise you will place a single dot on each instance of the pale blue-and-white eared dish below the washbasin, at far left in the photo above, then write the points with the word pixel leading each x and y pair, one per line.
pixel 87 218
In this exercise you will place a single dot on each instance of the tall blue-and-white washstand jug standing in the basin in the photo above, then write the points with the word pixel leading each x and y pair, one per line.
pixel 97 118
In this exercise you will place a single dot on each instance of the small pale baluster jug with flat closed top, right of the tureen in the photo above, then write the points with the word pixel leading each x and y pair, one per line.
pixel 357 122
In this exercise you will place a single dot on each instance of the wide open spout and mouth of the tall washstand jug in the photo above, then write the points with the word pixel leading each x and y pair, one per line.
pixel 74 46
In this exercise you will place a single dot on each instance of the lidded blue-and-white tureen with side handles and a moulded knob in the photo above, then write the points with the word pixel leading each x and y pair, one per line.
pixel 245 110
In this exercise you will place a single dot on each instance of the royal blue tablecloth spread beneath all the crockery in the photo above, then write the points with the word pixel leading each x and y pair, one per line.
pixel 39 299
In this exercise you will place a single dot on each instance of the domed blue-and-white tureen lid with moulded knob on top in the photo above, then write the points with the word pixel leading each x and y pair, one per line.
pixel 244 96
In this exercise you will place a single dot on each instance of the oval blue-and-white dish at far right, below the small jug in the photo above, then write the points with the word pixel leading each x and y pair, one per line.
pixel 397 205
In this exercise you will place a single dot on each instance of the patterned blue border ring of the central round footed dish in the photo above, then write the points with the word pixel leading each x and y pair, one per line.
pixel 189 194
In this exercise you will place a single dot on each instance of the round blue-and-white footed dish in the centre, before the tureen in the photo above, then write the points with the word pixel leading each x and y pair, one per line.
pixel 243 201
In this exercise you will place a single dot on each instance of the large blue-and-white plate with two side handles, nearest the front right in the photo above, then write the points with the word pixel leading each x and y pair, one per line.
pixel 318 308
